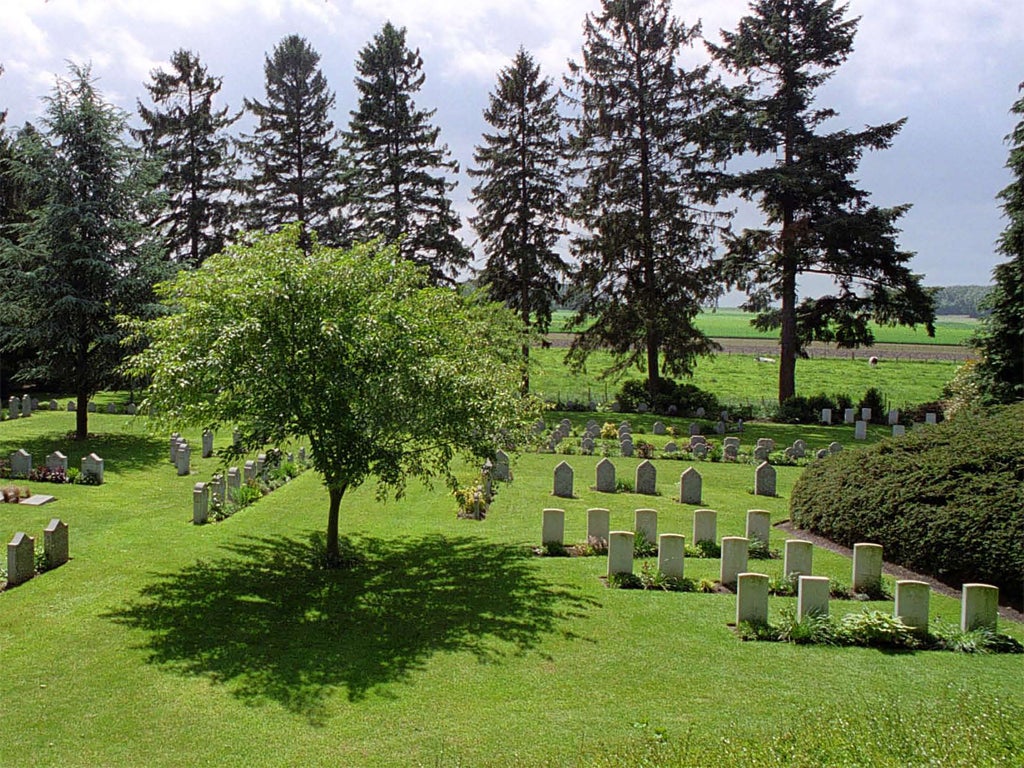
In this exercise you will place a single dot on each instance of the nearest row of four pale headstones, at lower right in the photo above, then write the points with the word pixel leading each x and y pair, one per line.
pixel 979 603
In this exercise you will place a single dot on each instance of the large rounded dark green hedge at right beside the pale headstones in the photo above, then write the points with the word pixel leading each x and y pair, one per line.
pixel 948 501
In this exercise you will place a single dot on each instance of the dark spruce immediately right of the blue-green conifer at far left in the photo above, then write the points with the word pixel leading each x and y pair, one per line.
pixel 190 138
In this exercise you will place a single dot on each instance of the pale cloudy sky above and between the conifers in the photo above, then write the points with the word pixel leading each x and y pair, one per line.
pixel 951 67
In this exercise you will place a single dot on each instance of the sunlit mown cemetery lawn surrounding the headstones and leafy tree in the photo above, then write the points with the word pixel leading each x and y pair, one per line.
pixel 447 644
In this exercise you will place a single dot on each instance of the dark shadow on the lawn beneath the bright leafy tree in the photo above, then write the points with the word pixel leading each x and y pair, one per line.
pixel 272 624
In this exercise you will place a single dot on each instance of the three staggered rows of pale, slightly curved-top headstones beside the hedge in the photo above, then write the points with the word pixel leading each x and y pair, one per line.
pixel 979 604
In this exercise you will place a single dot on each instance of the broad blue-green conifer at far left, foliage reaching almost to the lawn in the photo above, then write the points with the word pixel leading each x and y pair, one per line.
pixel 82 258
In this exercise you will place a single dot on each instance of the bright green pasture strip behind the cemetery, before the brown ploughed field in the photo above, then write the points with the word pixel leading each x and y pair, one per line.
pixel 742 380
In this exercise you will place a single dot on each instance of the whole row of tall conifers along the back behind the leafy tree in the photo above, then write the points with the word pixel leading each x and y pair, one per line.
pixel 617 186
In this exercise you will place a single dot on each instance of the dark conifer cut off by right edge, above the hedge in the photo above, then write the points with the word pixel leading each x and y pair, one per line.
pixel 1001 372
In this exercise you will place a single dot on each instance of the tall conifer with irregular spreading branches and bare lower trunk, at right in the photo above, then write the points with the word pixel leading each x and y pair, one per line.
pixel 817 219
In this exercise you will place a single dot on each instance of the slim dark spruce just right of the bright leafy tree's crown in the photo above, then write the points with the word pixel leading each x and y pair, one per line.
pixel 519 197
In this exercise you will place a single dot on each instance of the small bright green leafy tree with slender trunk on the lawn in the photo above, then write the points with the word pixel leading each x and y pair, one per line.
pixel 353 351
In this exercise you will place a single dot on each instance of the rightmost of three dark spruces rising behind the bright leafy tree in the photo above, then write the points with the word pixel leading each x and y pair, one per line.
pixel 399 187
